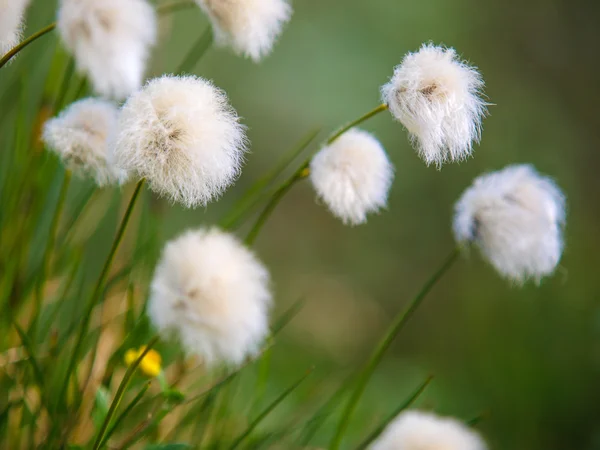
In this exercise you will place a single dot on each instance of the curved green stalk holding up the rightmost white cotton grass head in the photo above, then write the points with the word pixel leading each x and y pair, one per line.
pixel 384 344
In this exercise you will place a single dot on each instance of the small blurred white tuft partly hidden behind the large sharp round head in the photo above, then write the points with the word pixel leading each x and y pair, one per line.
pixel 80 136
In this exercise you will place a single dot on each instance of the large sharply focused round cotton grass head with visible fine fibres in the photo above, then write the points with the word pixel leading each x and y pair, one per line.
pixel 181 134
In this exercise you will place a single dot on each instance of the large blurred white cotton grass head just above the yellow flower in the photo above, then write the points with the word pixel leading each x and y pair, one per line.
pixel 211 293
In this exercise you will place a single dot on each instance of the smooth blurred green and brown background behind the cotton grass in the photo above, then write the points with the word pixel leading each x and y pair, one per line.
pixel 528 357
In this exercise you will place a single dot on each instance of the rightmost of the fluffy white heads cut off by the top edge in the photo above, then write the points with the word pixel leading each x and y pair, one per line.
pixel 250 27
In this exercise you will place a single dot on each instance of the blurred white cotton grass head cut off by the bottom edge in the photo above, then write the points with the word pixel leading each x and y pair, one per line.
pixel 415 430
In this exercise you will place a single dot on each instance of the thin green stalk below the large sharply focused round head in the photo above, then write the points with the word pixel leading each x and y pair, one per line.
pixel 98 290
